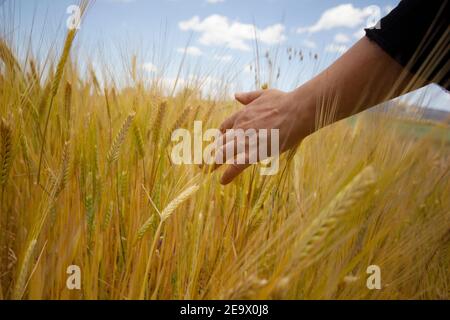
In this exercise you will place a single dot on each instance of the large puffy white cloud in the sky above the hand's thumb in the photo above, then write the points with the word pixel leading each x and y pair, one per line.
pixel 217 30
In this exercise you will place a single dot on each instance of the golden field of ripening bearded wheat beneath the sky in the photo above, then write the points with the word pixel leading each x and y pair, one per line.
pixel 86 179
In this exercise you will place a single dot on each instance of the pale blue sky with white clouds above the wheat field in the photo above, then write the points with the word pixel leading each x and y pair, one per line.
pixel 215 39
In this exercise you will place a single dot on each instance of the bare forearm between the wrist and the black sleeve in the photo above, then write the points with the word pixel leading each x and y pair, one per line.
pixel 363 77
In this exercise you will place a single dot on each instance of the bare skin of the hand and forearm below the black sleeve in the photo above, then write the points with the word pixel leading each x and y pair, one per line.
pixel 361 78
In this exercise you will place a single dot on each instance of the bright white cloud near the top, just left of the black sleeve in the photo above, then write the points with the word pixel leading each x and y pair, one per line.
pixel 344 15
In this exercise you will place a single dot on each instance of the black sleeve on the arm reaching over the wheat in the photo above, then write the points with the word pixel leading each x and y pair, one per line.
pixel 417 34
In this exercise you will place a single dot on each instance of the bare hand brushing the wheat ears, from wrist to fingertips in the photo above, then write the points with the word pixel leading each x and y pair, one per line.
pixel 292 113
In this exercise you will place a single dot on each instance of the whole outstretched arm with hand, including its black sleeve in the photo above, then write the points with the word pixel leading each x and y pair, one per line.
pixel 409 50
